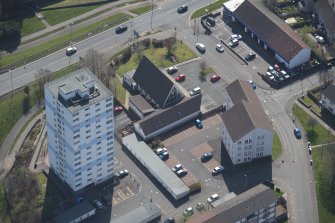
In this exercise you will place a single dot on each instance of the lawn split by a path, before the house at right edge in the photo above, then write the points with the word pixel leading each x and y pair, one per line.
pixel 316 134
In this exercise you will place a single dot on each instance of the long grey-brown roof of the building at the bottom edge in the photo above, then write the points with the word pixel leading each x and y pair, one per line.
pixel 239 207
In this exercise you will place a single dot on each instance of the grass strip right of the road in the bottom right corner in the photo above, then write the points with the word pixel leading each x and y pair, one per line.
pixel 324 215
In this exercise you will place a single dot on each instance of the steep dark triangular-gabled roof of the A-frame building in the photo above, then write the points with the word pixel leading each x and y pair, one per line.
pixel 153 81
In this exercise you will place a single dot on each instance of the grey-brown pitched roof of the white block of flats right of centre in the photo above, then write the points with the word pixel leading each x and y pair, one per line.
pixel 247 112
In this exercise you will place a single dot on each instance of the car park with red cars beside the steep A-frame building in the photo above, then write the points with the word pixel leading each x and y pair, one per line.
pixel 213 94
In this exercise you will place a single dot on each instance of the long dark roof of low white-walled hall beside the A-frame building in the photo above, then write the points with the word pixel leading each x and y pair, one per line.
pixel 163 117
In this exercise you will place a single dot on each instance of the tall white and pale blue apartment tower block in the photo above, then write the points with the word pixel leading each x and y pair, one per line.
pixel 80 125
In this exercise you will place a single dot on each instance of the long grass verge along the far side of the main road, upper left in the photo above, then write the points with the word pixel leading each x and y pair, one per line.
pixel 61 42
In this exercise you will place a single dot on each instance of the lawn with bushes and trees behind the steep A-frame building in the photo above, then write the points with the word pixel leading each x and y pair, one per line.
pixel 157 56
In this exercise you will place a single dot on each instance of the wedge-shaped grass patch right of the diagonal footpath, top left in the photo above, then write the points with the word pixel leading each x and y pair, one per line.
pixel 55 16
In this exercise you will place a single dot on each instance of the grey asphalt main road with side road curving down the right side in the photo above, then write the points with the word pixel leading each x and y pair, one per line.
pixel 294 177
